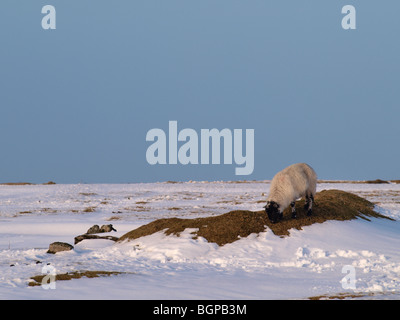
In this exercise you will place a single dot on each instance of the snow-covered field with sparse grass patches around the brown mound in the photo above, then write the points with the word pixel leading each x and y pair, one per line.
pixel 305 264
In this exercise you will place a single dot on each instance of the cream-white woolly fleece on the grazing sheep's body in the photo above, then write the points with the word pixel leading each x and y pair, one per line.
pixel 294 182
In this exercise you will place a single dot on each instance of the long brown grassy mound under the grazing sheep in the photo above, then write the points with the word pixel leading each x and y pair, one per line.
pixel 228 227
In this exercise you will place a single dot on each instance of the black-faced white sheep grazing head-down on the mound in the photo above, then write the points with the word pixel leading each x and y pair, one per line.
pixel 294 182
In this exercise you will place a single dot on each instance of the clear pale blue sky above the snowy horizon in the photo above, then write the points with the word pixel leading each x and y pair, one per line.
pixel 76 102
